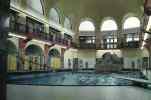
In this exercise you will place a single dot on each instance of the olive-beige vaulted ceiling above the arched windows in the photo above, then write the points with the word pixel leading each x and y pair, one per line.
pixel 97 10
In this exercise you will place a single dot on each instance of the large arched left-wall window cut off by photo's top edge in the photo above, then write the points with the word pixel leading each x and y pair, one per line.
pixel 35 6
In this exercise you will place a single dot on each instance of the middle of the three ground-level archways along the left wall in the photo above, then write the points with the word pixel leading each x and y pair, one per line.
pixel 34 58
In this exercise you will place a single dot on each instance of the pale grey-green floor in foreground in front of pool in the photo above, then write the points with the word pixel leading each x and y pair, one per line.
pixel 25 92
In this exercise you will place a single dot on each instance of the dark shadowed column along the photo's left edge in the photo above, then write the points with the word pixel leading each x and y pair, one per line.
pixel 4 26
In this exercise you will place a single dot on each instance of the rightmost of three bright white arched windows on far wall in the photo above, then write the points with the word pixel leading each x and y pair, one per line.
pixel 131 22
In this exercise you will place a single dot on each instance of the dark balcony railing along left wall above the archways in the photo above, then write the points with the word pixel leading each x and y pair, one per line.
pixel 22 29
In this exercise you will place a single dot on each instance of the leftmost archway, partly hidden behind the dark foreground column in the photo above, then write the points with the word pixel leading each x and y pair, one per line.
pixel 12 57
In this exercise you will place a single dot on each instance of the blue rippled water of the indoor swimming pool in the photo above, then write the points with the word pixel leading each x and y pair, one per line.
pixel 73 79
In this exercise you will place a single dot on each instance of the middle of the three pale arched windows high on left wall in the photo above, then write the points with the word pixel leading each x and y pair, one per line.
pixel 54 16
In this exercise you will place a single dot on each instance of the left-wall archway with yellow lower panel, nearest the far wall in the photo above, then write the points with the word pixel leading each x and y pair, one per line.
pixel 54 59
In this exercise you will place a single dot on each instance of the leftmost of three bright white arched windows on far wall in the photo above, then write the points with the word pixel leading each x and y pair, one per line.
pixel 86 26
